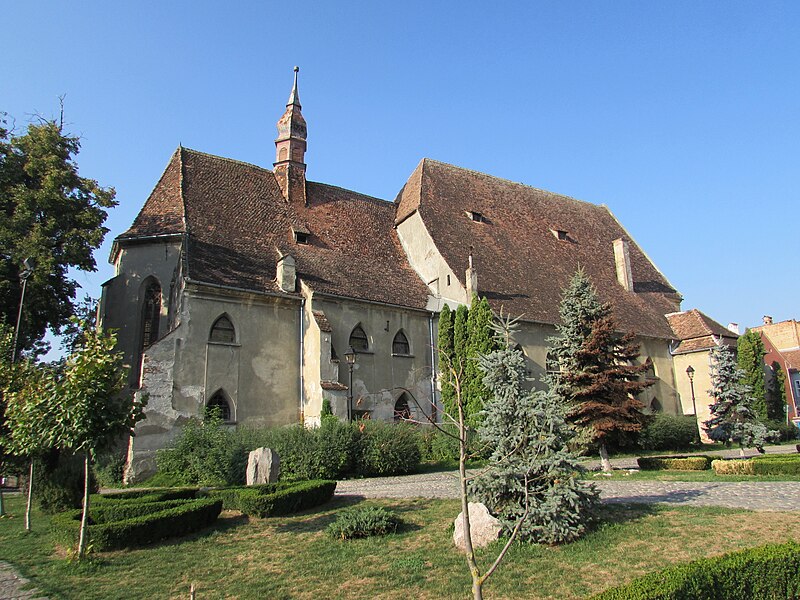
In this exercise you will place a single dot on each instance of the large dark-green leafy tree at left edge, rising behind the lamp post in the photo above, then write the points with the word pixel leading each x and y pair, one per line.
pixel 50 214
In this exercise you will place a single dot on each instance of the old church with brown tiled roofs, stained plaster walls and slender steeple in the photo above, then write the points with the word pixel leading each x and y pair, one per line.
pixel 262 293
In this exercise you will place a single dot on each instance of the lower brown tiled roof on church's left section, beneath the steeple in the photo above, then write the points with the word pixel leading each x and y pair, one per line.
pixel 238 222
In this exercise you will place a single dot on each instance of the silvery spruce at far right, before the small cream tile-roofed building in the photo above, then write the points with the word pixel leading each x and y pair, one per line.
pixel 733 419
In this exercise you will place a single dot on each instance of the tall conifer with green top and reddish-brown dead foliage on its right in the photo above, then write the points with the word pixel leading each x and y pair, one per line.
pixel 598 378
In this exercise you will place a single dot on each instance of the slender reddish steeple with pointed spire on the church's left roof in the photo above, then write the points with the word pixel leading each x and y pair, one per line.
pixel 290 148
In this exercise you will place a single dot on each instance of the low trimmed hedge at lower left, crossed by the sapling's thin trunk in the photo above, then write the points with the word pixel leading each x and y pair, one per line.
pixel 123 524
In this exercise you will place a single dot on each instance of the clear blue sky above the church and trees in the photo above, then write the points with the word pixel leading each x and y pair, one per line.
pixel 682 117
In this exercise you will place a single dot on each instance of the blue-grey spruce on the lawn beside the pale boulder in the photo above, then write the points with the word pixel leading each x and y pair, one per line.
pixel 532 480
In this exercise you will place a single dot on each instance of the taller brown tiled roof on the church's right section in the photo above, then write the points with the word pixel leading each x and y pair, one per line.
pixel 522 266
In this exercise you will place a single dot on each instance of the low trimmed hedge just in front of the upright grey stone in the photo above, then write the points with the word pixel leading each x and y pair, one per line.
pixel 275 499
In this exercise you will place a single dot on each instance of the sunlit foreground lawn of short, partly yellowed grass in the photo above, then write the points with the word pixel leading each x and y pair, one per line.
pixel 292 557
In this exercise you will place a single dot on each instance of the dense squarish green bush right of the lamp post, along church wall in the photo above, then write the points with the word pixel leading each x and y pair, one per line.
pixel 387 449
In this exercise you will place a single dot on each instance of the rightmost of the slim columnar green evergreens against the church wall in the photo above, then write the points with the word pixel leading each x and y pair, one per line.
pixel 480 341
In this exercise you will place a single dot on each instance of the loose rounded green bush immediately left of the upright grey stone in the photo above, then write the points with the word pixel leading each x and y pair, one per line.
pixel 204 453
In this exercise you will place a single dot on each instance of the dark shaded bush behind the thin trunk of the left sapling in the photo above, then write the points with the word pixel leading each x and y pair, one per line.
pixel 58 481
